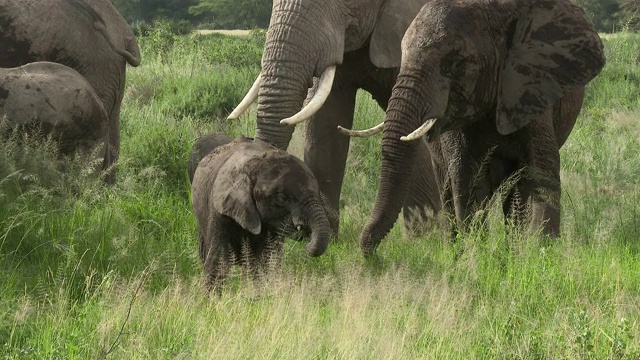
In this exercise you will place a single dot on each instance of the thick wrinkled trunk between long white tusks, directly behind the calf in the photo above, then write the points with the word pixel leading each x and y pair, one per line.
pixel 298 47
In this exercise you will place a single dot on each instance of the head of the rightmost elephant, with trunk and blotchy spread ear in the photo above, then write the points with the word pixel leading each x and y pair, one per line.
pixel 463 61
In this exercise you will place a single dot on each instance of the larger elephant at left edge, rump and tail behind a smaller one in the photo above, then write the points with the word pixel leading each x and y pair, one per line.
pixel 90 37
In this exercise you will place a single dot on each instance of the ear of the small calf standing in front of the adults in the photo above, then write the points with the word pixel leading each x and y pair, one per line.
pixel 232 196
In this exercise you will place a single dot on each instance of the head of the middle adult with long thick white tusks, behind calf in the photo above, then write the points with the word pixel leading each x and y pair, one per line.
pixel 309 38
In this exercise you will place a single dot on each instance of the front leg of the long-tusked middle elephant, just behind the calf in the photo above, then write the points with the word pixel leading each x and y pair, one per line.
pixel 326 149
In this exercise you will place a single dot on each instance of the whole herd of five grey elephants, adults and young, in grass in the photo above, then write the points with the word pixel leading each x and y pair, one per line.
pixel 475 92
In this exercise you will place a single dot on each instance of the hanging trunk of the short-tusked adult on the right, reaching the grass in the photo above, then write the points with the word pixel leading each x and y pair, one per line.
pixel 398 161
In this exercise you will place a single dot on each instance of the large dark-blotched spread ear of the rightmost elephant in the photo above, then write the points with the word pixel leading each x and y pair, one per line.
pixel 553 48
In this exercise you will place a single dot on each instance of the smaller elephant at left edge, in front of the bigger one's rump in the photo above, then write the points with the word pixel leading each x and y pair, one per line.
pixel 54 100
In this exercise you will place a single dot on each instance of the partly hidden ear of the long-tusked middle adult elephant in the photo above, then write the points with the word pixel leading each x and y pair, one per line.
pixel 394 19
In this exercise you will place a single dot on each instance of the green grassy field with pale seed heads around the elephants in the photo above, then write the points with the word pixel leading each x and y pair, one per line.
pixel 89 272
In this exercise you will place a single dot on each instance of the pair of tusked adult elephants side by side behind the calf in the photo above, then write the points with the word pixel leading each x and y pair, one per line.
pixel 475 92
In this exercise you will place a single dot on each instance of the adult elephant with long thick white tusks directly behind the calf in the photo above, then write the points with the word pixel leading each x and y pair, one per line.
pixel 349 45
